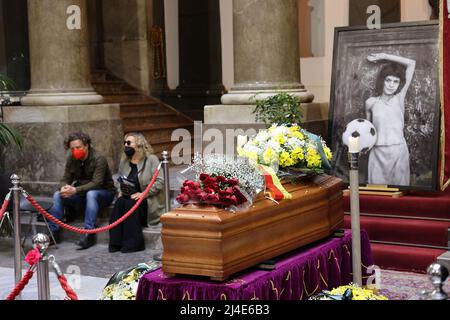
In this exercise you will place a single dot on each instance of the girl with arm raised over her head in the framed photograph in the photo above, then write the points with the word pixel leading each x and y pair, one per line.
pixel 389 158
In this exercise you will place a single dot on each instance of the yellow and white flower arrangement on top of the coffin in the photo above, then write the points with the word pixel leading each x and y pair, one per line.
pixel 289 147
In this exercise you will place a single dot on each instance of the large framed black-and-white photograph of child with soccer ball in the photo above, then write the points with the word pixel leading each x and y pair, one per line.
pixel 387 78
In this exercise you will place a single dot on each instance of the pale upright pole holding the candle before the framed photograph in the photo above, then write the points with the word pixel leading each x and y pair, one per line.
pixel 354 209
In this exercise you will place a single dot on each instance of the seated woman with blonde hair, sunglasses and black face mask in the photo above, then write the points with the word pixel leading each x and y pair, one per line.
pixel 136 169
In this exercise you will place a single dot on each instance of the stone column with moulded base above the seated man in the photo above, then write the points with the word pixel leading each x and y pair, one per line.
pixel 59 56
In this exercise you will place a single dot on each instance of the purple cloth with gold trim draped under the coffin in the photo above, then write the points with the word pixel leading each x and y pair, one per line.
pixel 298 275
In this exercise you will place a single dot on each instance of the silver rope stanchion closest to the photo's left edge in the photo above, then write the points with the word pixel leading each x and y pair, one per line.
pixel 16 190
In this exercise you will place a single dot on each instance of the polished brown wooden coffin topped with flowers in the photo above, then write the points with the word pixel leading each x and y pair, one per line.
pixel 209 241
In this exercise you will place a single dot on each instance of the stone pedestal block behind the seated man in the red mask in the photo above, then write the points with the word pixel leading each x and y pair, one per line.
pixel 40 164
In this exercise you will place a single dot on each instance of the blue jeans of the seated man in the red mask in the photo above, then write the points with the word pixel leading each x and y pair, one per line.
pixel 93 201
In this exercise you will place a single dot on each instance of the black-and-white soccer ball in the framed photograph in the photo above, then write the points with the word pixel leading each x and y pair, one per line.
pixel 363 129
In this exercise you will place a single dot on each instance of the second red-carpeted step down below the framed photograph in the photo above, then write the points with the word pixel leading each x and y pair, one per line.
pixel 408 231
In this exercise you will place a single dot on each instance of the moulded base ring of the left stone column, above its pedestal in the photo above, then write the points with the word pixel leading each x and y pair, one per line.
pixel 59 98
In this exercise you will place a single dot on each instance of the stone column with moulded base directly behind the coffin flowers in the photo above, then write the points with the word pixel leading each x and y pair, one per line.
pixel 266 51
